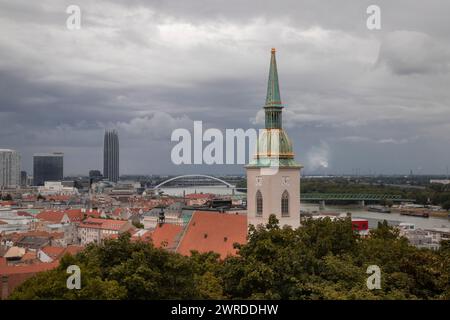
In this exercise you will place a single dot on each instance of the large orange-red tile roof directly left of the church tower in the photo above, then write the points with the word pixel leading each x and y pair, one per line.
pixel 210 231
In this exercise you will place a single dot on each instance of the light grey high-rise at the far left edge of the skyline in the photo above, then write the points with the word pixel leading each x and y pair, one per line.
pixel 9 168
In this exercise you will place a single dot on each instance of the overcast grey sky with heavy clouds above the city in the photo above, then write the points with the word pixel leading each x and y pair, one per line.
pixel 375 100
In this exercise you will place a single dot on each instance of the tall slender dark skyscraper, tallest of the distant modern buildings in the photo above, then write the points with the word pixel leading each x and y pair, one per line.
pixel 111 156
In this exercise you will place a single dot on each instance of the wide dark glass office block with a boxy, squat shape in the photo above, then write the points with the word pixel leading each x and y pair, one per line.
pixel 48 167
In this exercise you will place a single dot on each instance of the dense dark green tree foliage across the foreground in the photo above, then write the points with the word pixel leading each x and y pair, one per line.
pixel 323 259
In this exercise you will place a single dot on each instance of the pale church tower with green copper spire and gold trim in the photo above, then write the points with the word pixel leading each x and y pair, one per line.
pixel 273 176
